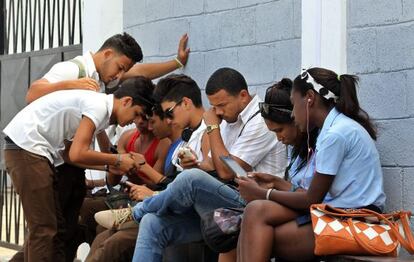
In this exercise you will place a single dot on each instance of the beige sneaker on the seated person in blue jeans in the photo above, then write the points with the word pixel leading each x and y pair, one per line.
pixel 116 218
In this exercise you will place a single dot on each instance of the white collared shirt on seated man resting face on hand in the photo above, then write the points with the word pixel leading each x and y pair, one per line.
pixel 255 144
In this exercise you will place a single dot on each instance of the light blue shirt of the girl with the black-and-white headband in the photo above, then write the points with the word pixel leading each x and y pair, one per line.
pixel 344 149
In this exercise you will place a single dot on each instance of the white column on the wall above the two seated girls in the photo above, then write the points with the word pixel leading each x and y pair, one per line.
pixel 324 34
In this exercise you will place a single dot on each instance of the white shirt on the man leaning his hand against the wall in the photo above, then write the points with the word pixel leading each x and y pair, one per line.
pixel 68 70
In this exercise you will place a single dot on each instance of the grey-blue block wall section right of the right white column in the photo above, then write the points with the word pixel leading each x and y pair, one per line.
pixel 381 51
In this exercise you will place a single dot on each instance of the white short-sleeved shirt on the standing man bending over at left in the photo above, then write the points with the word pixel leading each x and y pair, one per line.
pixel 43 125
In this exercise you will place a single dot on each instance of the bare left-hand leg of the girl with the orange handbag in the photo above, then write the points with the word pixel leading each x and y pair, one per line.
pixel 256 238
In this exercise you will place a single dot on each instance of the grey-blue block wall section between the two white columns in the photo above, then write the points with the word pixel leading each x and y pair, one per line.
pixel 260 38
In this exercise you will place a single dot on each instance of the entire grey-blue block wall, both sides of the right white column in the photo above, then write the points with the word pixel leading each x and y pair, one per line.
pixel 262 39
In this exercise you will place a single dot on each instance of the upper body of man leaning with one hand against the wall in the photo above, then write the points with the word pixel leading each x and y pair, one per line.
pixel 115 60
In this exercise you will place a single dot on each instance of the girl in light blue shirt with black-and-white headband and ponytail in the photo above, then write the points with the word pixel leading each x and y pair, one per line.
pixel 347 171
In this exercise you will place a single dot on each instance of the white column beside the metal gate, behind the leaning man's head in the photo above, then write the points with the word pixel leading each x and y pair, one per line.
pixel 101 20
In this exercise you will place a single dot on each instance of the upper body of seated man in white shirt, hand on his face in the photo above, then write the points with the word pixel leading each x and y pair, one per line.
pixel 243 130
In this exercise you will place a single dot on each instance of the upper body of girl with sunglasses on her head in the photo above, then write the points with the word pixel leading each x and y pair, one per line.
pixel 277 113
